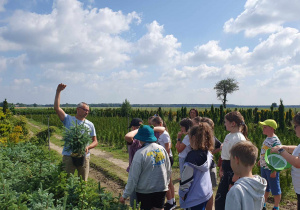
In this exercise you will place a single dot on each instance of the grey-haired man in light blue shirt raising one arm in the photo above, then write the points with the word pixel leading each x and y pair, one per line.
pixel 68 120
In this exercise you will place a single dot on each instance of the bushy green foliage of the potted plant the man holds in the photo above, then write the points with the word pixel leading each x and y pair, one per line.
pixel 76 138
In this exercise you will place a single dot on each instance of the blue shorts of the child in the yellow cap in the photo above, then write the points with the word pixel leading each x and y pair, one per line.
pixel 273 183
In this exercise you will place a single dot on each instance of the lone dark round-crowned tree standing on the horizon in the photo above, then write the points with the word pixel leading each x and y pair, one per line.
pixel 224 87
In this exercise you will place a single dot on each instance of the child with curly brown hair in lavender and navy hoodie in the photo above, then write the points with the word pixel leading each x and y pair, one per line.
pixel 195 185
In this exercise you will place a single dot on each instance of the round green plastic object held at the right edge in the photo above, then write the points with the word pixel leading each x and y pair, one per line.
pixel 275 161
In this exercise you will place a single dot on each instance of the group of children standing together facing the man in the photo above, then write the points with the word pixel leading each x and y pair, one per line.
pixel 151 159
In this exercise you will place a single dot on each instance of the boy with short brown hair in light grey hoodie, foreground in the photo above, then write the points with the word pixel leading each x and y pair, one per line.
pixel 248 191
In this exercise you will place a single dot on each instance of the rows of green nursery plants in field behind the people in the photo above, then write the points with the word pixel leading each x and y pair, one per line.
pixel 111 130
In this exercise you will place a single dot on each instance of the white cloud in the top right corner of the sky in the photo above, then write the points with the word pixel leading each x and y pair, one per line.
pixel 264 16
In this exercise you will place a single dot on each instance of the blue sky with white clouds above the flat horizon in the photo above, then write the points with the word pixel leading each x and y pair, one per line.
pixel 156 51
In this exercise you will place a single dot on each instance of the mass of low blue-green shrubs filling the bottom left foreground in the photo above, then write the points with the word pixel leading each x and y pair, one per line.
pixel 30 180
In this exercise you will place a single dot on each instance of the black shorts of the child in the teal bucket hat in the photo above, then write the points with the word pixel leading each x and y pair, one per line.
pixel 150 200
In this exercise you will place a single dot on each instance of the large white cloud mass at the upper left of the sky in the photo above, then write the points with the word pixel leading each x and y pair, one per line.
pixel 72 36
